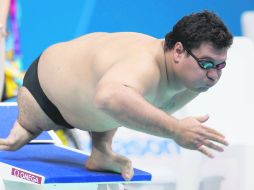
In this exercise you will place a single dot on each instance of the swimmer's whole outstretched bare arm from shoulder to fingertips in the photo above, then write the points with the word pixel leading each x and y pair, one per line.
pixel 120 95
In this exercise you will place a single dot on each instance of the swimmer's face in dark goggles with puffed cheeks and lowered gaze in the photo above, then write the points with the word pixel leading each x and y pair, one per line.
pixel 196 78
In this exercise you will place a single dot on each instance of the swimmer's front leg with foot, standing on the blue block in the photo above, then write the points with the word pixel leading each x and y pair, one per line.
pixel 104 159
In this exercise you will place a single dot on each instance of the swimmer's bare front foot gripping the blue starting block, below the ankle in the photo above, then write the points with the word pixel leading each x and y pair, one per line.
pixel 109 161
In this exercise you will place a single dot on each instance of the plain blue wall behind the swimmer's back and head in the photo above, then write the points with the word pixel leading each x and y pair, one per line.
pixel 49 21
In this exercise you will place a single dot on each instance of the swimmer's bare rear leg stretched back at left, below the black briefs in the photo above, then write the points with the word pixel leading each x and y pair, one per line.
pixel 30 123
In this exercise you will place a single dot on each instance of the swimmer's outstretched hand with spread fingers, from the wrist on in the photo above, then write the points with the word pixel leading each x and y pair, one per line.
pixel 191 133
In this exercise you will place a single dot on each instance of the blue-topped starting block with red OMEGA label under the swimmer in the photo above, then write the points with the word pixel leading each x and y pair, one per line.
pixel 46 164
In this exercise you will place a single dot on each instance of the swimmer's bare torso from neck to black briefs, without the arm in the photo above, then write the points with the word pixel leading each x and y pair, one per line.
pixel 69 73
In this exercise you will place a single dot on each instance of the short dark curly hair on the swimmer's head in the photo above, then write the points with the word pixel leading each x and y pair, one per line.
pixel 194 29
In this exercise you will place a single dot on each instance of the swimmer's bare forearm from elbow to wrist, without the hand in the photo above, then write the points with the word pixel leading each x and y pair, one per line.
pixel 128 107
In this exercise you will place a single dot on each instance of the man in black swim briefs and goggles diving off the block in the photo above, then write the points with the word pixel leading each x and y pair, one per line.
pixel 101 81
